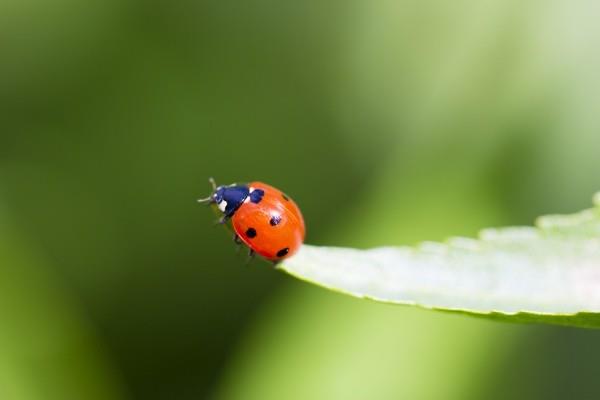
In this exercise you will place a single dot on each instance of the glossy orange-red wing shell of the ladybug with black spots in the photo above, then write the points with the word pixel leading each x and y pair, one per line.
pixel 273 227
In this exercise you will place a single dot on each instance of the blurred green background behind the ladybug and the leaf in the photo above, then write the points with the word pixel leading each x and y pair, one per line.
pixel 389 122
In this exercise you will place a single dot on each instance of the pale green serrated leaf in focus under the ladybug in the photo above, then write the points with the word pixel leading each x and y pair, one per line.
pixel 549 273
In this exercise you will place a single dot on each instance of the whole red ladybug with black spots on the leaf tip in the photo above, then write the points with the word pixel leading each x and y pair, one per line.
pixel 262 217
